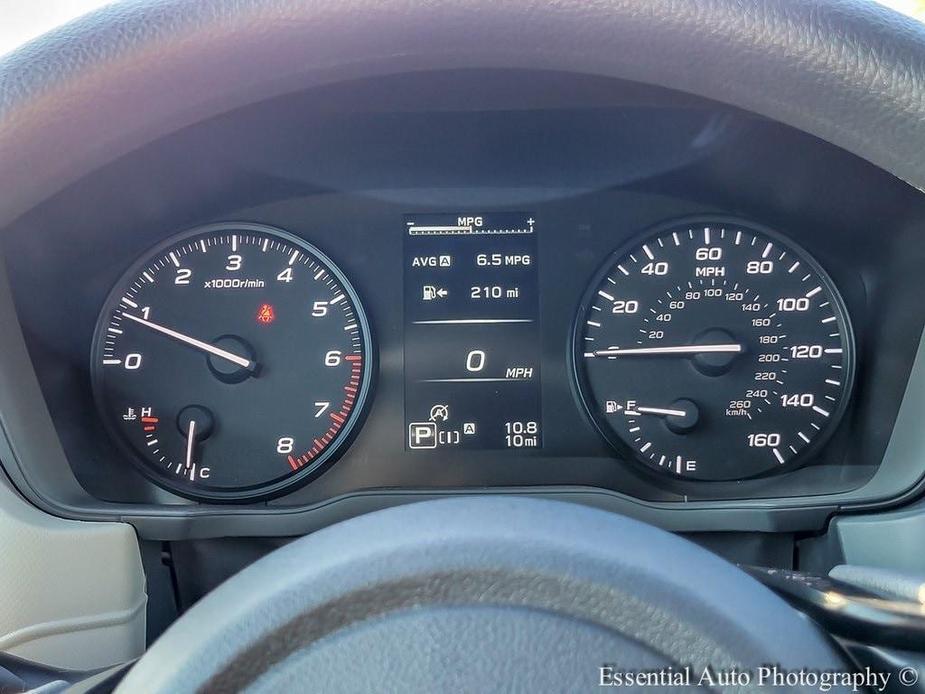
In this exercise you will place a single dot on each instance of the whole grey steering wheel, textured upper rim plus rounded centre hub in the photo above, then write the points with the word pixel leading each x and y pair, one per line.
pixel 475 593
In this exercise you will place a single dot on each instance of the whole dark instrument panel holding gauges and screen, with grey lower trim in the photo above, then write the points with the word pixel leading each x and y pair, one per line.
pixel 569 286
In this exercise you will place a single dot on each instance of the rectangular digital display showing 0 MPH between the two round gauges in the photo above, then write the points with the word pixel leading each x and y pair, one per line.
pixel 472 340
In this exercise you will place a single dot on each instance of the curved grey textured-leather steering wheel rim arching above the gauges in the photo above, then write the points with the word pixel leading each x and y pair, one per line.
pixel 848 71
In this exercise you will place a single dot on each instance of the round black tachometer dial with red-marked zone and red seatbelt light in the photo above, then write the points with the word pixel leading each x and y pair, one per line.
pixel 233 361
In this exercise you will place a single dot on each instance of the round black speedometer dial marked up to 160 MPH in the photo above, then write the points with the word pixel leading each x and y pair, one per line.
pixel 714 351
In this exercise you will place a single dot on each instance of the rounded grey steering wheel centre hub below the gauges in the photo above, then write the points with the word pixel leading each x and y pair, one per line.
pixel 478 591
